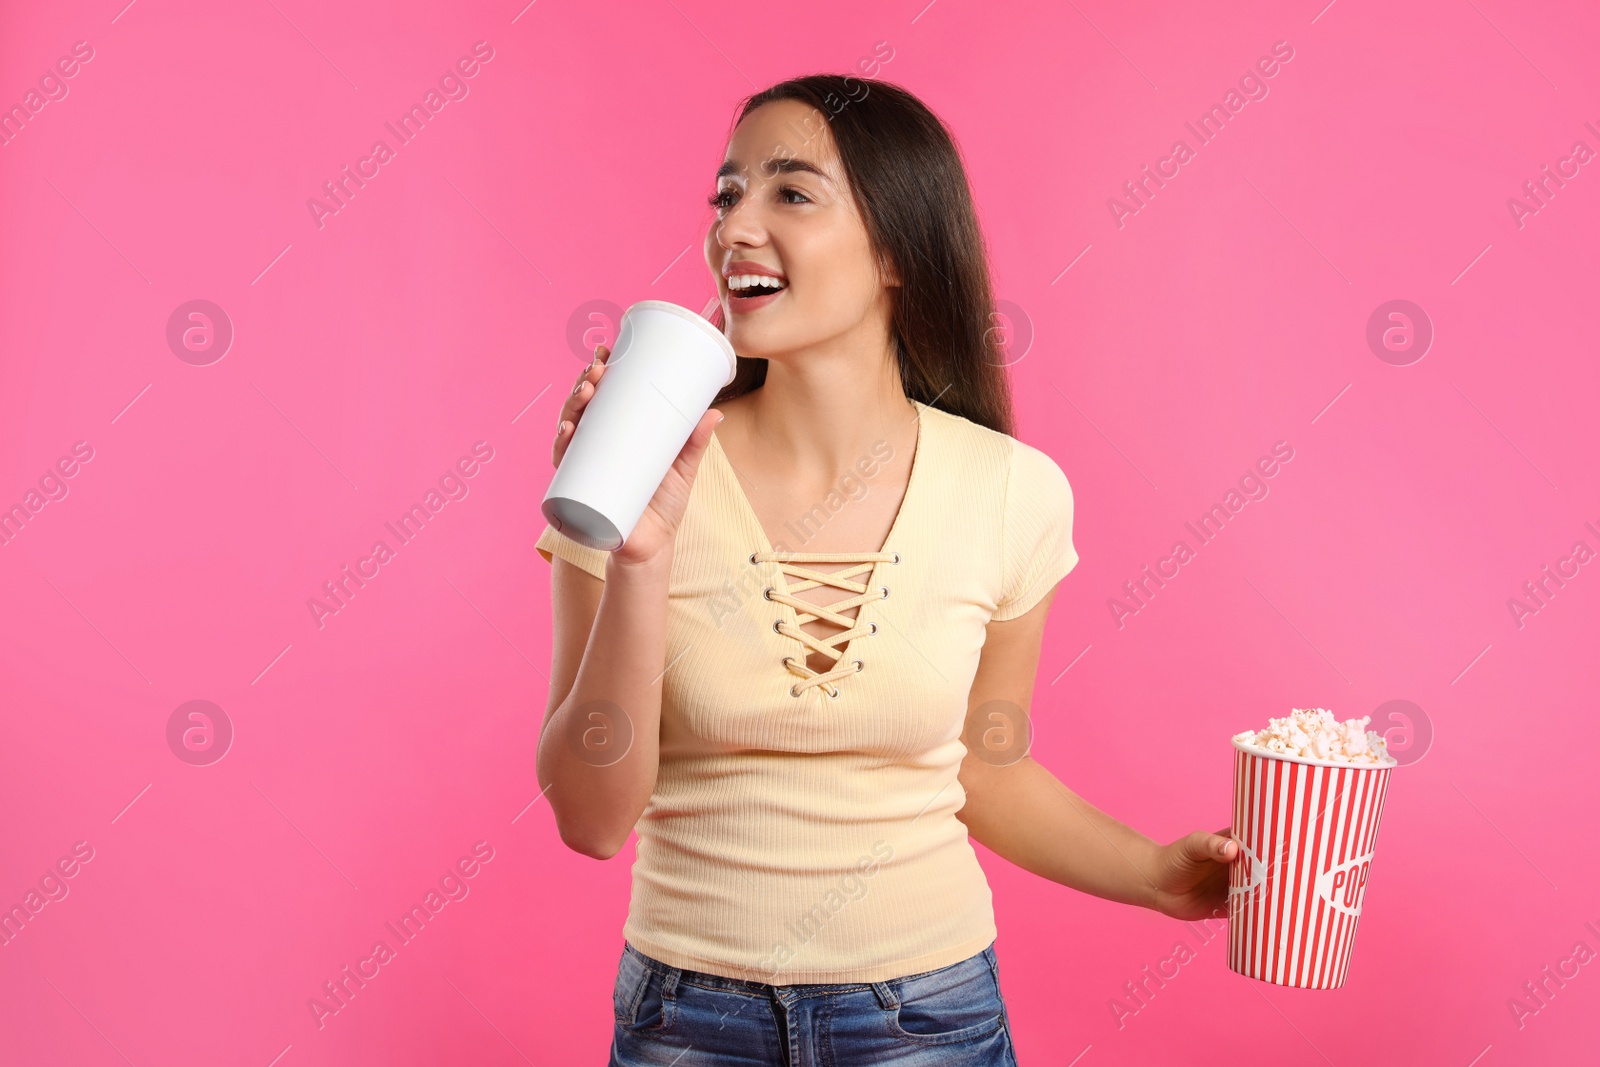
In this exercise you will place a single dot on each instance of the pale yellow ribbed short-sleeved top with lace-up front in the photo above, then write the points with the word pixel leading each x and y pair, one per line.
pixel 802 828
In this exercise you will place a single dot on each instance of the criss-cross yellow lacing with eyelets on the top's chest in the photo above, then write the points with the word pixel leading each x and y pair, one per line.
pixel 806 612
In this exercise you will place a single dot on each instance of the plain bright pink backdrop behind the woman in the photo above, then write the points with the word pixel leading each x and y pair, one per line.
pixel 433 313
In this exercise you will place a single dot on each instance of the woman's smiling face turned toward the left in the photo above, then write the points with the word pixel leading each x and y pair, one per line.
pixel 785 209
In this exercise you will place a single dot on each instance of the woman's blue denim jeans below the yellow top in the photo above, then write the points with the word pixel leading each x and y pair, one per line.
pixel 670 1017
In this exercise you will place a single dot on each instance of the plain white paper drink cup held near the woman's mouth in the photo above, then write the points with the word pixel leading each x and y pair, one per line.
pixel 663 374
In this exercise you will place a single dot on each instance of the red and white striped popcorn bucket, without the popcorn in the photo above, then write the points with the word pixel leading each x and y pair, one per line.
pixel 1306 833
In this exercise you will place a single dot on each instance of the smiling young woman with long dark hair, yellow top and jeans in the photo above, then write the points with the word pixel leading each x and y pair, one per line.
pixel 806 677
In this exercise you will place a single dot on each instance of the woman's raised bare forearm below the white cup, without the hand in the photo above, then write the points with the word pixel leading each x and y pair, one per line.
pixel 615 701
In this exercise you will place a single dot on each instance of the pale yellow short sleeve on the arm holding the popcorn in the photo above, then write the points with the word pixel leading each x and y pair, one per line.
pixel 1036 535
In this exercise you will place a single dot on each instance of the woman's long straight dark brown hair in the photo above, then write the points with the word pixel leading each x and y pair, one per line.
pixel 911 190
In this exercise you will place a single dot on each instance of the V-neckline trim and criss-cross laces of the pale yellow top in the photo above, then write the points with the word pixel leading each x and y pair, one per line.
pixel 794 565
